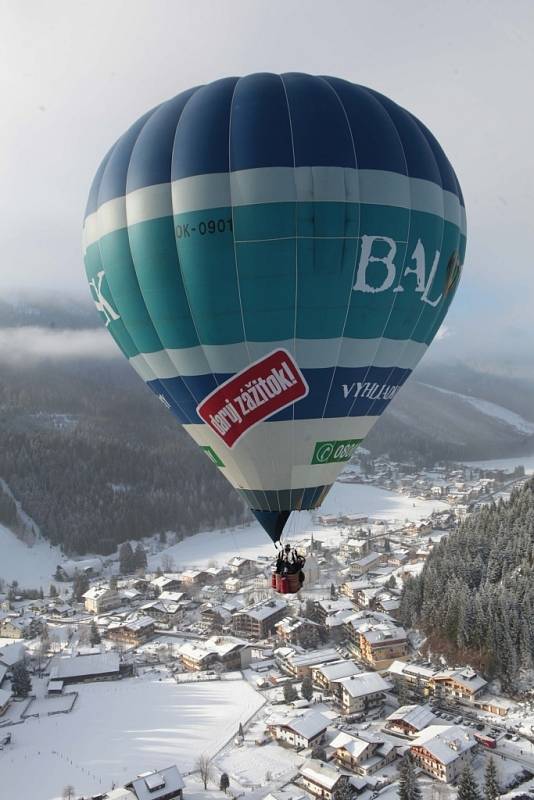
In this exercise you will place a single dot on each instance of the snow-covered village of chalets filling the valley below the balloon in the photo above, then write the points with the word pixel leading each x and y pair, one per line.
pixel 315 695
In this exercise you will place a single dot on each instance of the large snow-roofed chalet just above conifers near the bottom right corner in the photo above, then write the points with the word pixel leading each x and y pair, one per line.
pixel 442 751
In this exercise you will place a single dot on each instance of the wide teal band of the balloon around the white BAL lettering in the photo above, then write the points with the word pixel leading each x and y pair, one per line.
pixel 325 252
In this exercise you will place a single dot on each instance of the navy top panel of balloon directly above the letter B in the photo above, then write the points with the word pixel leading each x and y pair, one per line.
pixel 375 137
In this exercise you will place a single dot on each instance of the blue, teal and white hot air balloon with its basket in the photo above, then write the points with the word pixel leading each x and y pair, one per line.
pixel 273 254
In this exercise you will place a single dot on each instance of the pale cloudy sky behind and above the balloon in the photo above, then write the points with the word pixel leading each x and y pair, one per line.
pixel 75 75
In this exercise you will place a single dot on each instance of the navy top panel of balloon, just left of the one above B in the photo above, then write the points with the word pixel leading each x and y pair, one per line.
pixel 321 134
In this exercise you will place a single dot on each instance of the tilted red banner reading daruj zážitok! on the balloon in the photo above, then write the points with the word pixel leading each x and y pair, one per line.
pixel 257 392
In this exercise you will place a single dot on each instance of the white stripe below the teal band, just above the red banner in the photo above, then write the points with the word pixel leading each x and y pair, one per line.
pixel 309 353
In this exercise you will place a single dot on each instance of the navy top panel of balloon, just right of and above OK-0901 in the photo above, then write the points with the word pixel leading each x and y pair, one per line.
pixel 261 133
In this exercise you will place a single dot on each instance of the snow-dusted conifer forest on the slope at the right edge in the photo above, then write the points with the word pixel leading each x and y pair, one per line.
pixel 474 598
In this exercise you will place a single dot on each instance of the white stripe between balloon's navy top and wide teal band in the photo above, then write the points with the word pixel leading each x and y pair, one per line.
pixel 275 185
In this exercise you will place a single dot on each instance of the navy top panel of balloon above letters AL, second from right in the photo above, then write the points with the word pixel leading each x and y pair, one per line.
pixel 419 157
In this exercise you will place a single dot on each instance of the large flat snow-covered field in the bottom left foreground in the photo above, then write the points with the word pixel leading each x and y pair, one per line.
pixel 118 729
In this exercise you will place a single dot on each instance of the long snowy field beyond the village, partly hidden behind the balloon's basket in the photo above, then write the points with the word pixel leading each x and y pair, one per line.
pixel 251 540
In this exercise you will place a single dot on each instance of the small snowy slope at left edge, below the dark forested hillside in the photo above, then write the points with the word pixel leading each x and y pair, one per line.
pixel 30 566
